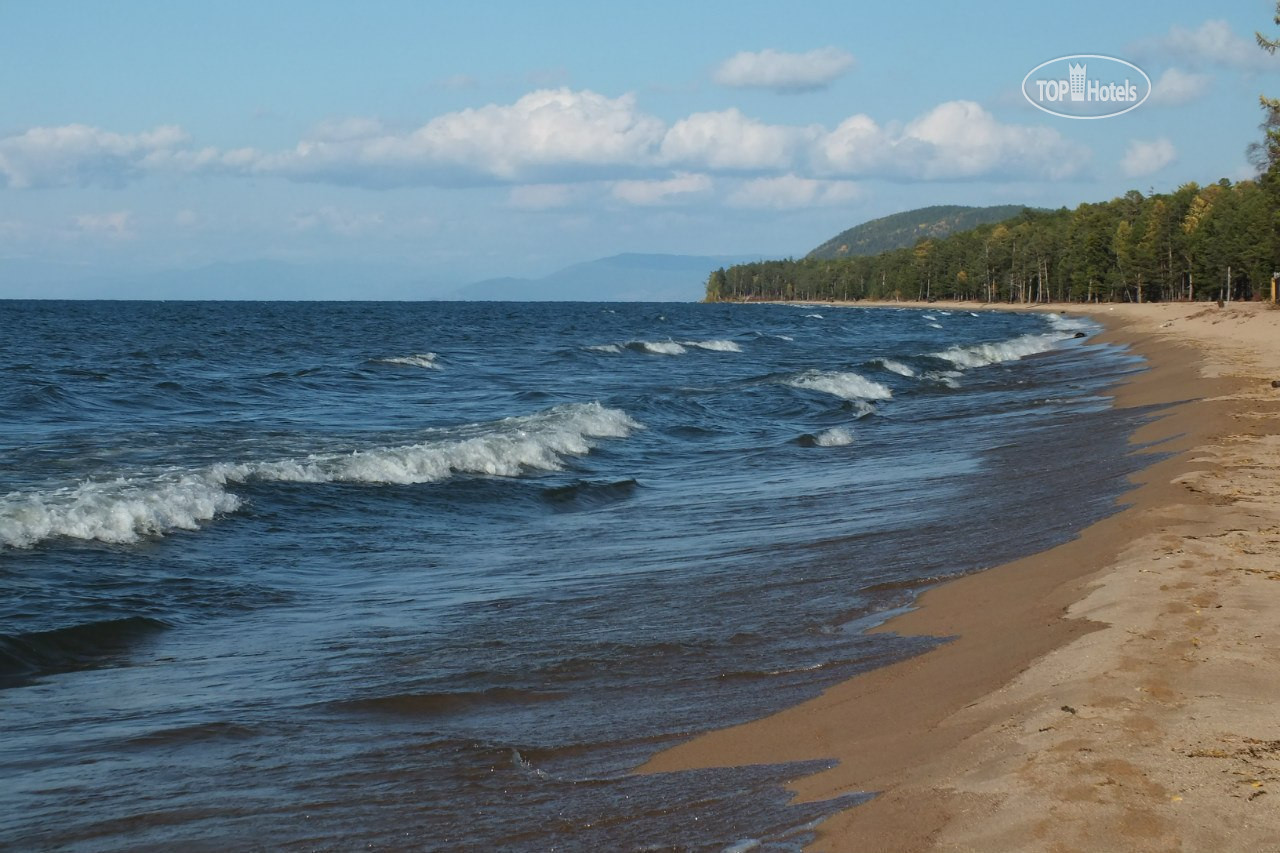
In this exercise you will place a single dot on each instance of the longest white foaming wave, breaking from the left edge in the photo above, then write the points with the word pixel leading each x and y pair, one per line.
pixel 130 509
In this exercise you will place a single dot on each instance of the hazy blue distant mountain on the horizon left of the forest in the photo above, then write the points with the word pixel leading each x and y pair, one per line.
pixel 620 279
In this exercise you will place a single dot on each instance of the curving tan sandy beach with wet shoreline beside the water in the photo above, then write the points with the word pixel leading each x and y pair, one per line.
pixel 1116 694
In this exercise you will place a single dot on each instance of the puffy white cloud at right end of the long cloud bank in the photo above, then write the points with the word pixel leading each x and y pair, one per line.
pixel 956 140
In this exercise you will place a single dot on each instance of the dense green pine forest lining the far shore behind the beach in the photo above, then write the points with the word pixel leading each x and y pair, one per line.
pixel 1199 243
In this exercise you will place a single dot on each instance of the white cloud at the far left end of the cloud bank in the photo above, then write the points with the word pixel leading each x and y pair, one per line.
pixel 79 154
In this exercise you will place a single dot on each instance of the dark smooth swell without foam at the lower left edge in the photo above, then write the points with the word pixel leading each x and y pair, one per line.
pixel 66 650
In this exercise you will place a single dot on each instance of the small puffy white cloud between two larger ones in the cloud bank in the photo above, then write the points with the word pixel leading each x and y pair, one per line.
pixel 729 140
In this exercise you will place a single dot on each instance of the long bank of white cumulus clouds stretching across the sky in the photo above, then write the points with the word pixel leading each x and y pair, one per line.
pixel 563 138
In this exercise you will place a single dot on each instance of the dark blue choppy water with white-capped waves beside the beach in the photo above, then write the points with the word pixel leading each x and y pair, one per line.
pixel 438 576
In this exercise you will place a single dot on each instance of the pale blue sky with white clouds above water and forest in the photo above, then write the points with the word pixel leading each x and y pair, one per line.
pixel 447 143
